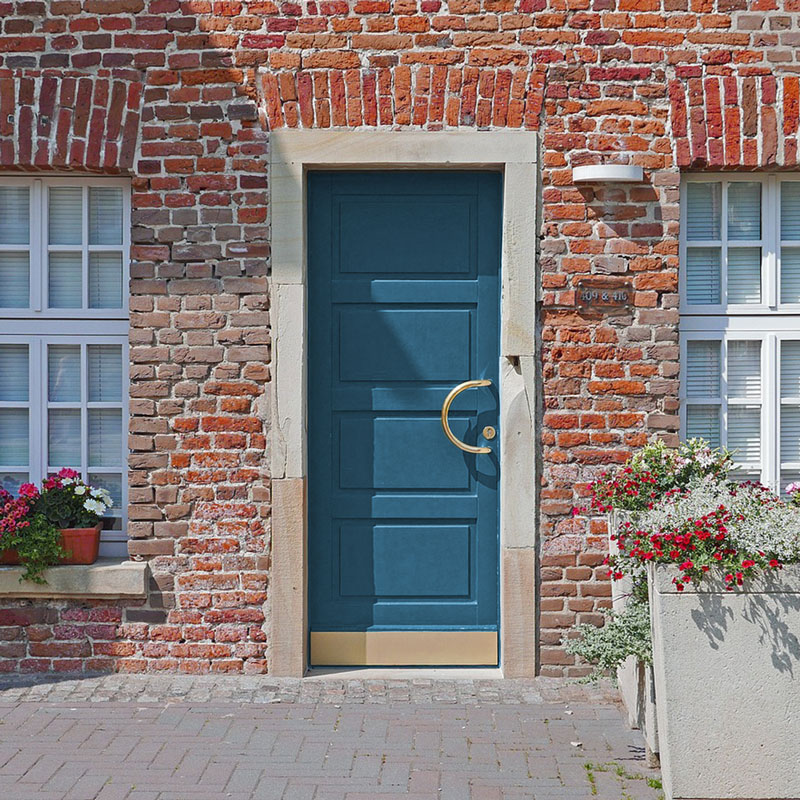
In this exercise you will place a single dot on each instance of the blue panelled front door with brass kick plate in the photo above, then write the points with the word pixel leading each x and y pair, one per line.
pixel 404 288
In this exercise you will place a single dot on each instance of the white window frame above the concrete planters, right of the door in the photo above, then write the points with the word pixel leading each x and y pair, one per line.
pixel 770 322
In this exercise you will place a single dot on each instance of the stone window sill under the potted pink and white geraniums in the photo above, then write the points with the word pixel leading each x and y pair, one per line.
pixel 107 578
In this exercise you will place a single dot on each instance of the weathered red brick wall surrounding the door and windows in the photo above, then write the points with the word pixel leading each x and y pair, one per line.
pixel 666 84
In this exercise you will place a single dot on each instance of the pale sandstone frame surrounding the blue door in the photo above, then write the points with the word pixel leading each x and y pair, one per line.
pixel 292 154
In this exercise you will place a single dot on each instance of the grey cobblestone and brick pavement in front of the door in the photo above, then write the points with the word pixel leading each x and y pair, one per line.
pixel 241 738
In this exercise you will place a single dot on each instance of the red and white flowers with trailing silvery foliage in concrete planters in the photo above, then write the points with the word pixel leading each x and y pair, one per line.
pixel 687 514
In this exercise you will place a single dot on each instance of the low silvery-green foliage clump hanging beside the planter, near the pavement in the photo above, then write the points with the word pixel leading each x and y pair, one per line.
pixel 625 633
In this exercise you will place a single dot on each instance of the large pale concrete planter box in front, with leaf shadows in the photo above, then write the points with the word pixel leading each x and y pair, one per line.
pixel 727 679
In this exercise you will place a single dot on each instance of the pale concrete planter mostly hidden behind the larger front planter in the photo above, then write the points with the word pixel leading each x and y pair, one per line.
pixel 634 678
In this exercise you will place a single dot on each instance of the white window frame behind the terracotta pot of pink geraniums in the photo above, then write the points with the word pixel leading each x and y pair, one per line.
pixel 38 326
